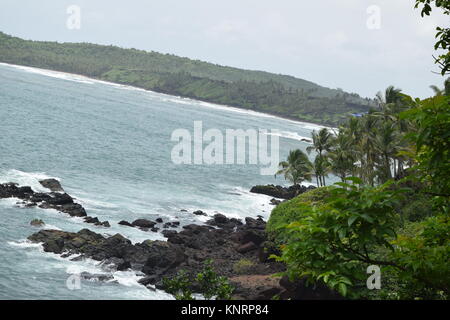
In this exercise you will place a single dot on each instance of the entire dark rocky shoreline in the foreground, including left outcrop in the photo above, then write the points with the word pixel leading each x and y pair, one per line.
pixel 239 250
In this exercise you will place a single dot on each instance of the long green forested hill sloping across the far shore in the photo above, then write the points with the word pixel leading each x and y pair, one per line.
pixel 254 90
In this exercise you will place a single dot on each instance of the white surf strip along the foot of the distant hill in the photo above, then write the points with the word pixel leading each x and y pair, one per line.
pixel 201 103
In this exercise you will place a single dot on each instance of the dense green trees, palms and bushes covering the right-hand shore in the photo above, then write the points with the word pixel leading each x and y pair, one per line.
pixel 391 209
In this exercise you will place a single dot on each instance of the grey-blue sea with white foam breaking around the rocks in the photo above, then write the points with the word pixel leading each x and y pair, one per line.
pixel 110 147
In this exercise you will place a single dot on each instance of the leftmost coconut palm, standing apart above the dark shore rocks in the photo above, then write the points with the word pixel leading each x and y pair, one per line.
pixel 297 168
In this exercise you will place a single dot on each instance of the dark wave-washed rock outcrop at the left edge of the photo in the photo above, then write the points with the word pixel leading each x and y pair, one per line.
pixel 48 200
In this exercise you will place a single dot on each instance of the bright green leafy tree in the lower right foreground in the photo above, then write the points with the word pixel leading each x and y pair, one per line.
pixel 356 226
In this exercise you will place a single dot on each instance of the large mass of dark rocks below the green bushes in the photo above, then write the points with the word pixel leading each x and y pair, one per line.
pixel 226 243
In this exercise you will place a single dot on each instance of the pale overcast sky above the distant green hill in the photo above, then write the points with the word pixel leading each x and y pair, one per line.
pixel 324 41
